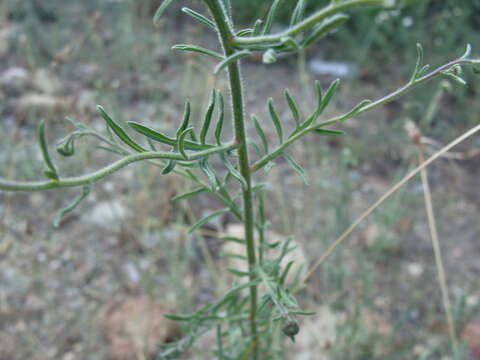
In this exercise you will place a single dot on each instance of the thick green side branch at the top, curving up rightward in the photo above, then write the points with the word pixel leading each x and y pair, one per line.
pixel 303 25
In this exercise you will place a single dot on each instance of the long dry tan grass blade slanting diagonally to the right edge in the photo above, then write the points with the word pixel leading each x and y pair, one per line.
pixel 384 197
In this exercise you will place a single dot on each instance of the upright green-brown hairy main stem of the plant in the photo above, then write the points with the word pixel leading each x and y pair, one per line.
pixel 225 30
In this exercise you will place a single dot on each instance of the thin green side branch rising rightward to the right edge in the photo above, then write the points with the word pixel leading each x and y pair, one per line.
pixel 393 95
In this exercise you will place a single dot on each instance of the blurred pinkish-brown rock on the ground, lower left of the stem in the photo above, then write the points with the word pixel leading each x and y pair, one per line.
pixel 136 327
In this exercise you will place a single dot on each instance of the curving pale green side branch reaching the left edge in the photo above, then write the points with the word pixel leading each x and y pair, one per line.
pixel 7 185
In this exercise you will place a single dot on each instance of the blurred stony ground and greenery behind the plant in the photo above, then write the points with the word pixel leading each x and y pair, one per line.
pixel 377 299
